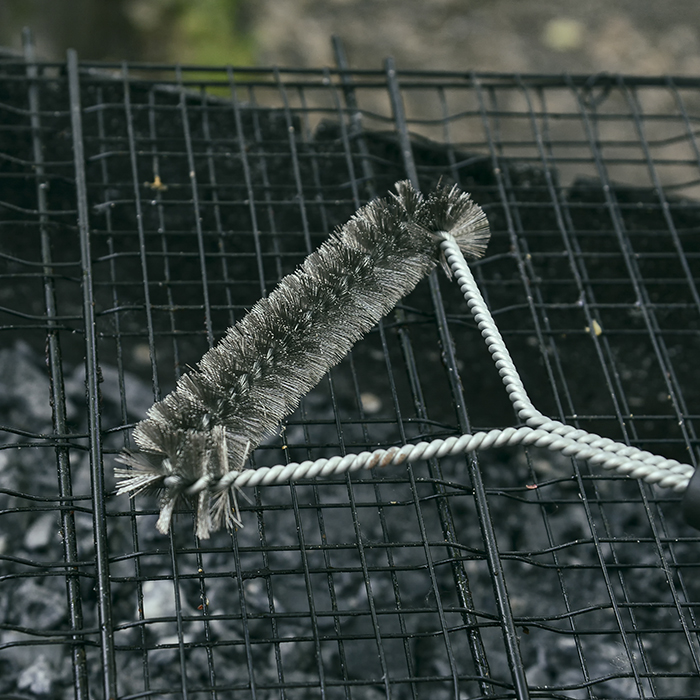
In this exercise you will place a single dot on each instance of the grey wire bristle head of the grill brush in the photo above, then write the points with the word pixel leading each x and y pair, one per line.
pixel 196 439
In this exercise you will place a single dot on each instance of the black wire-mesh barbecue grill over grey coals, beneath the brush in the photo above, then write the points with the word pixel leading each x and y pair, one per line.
pixel 144 208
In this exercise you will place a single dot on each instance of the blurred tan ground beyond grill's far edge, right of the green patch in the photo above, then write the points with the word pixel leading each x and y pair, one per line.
pixel 629 36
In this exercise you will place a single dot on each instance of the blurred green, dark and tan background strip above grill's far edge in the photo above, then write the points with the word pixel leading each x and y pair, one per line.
pixel 628 36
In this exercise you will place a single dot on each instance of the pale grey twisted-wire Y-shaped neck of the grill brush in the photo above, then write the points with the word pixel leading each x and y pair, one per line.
pixel 540 430
